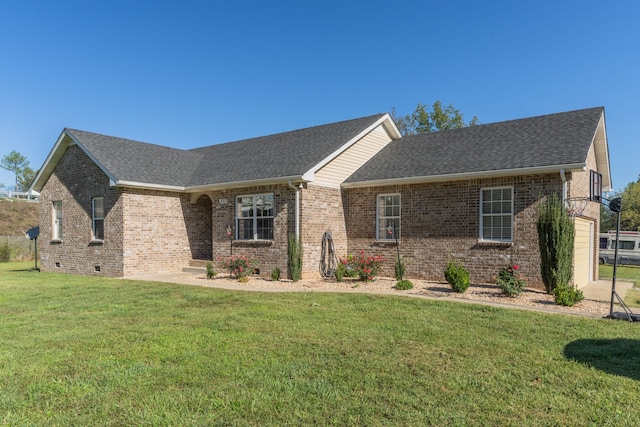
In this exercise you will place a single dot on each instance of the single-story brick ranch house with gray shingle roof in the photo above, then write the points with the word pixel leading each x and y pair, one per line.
pixel 116 207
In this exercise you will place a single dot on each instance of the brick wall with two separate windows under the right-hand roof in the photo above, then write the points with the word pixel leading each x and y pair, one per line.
pixel 440 221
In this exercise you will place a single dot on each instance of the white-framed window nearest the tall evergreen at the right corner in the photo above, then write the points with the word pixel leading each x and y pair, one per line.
pixel 496 214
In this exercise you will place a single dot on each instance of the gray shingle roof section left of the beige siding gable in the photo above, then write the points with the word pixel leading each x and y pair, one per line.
pixel 280 155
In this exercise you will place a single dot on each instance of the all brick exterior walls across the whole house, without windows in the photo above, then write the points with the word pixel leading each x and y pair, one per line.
pixel 148 231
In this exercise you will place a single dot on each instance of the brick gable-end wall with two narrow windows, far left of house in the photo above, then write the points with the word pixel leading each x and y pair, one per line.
pixel 75 180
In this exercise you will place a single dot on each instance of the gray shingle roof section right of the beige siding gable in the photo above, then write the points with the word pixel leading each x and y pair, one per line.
pixel 536 142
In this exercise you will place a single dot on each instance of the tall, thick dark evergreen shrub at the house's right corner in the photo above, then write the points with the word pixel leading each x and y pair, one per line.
pixel 556 234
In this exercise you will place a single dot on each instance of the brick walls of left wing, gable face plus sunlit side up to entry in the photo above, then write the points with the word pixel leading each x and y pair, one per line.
pixel 145 231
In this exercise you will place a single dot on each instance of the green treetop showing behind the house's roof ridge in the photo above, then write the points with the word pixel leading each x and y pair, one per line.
pixel 423 121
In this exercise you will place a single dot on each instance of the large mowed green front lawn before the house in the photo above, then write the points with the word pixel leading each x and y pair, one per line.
pixel 98 351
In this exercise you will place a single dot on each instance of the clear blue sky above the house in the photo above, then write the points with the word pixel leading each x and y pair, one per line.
pixel 193 73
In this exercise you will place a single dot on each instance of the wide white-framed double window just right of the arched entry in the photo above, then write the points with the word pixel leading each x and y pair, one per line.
pixel 254 217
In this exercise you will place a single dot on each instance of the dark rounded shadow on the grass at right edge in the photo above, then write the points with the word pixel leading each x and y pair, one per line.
pixel 617 356
